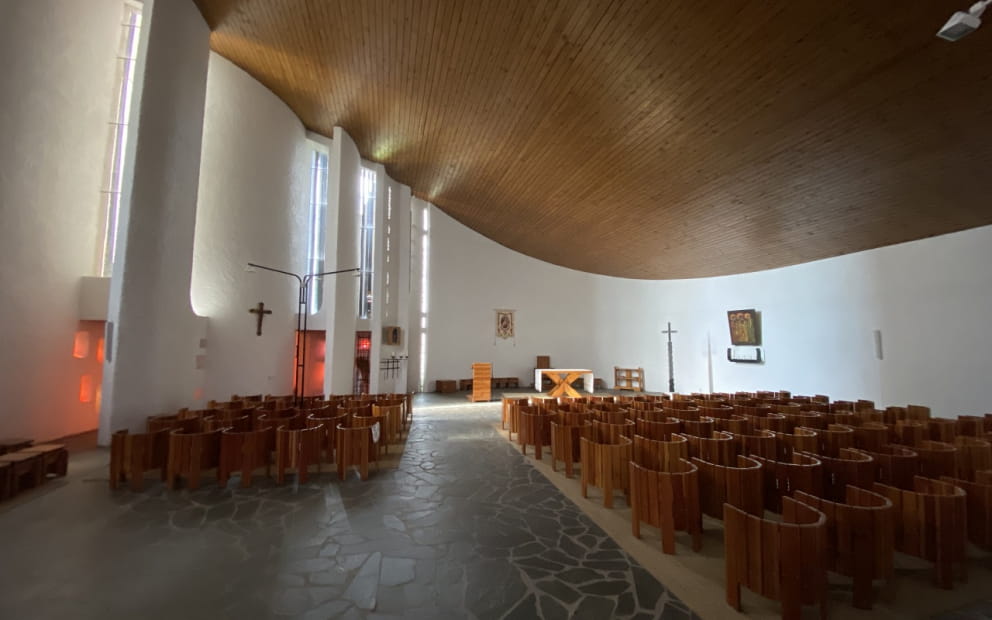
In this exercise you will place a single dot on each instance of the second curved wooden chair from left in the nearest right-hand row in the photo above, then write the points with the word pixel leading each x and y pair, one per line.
pixel 860 537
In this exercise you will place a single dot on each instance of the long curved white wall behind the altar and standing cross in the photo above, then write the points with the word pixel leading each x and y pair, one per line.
pixel 929 298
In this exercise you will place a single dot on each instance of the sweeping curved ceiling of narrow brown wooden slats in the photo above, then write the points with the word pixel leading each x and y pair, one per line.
pixel 647 139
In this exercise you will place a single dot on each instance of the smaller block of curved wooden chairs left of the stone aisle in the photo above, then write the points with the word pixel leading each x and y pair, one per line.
pixel 186 444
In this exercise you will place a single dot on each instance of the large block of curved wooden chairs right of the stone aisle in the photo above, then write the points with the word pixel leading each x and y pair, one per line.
pixel 847 494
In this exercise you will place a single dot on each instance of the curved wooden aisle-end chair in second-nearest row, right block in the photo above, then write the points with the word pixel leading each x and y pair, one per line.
pixel 666 497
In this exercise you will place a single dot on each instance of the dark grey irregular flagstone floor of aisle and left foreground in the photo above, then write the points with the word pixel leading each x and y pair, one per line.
pixel 459 526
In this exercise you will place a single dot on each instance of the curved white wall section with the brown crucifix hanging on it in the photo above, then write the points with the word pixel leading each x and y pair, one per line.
pixel 253 206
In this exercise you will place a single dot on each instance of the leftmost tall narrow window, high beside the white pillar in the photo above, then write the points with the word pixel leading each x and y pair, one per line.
pixel 127 53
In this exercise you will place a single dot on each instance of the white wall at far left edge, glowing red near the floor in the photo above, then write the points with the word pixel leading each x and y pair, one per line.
pixel 55 103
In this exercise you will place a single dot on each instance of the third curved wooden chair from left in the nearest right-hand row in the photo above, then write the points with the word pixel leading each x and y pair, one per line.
pixel 930 523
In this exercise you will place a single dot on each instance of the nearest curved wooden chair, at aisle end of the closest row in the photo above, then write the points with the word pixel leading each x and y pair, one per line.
pixel 784 561
